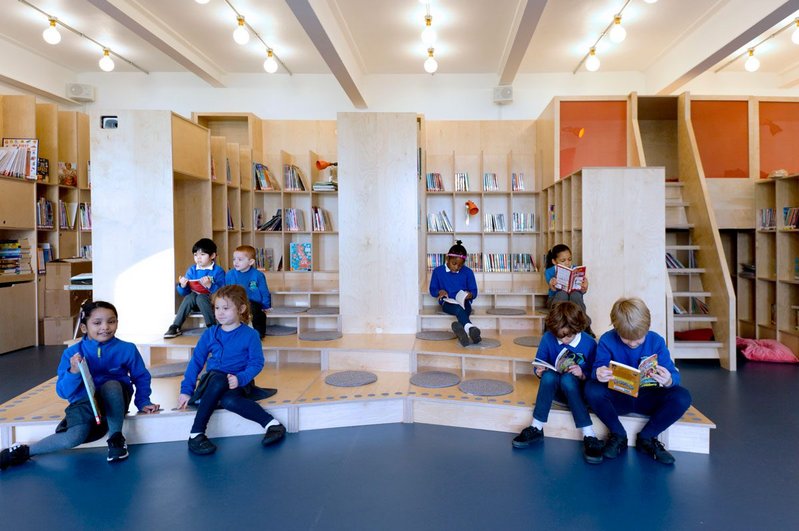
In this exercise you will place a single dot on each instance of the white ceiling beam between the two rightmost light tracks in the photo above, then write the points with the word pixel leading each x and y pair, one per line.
pixel 732 26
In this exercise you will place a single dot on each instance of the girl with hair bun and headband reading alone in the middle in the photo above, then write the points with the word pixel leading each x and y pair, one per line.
pixel 455 287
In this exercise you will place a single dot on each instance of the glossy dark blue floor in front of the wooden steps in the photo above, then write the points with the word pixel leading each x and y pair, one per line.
pixel 430 477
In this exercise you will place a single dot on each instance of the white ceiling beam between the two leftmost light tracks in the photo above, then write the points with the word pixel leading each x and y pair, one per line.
pixel 150 28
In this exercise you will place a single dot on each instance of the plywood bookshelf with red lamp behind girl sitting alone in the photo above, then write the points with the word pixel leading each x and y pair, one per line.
pixel 486 166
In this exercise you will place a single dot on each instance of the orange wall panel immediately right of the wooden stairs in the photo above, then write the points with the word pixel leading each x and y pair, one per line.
pixel 722 136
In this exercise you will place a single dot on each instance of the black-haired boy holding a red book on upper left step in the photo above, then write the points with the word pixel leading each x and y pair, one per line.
pixel 198 284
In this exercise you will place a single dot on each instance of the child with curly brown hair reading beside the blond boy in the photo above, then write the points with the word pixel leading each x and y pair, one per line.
pixel 563 362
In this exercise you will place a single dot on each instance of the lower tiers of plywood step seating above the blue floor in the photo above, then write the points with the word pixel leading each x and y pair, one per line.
pixel 304 402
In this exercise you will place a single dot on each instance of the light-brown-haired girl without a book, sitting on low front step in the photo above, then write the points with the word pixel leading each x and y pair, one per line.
pixel 232 355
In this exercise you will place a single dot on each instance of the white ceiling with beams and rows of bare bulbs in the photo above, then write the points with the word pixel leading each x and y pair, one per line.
pixel 356 38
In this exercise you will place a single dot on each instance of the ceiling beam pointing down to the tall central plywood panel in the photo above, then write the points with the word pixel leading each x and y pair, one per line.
pixel 319 22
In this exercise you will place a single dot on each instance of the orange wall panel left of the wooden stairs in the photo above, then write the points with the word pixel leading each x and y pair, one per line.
pixel 604 140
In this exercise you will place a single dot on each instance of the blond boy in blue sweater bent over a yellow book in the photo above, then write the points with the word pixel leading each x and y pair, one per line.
pixel 660 395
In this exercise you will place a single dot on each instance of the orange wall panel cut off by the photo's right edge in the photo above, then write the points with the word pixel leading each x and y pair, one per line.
pixel 779 137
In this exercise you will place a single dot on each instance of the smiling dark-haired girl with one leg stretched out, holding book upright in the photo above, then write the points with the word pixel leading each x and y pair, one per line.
pixel 115 368
